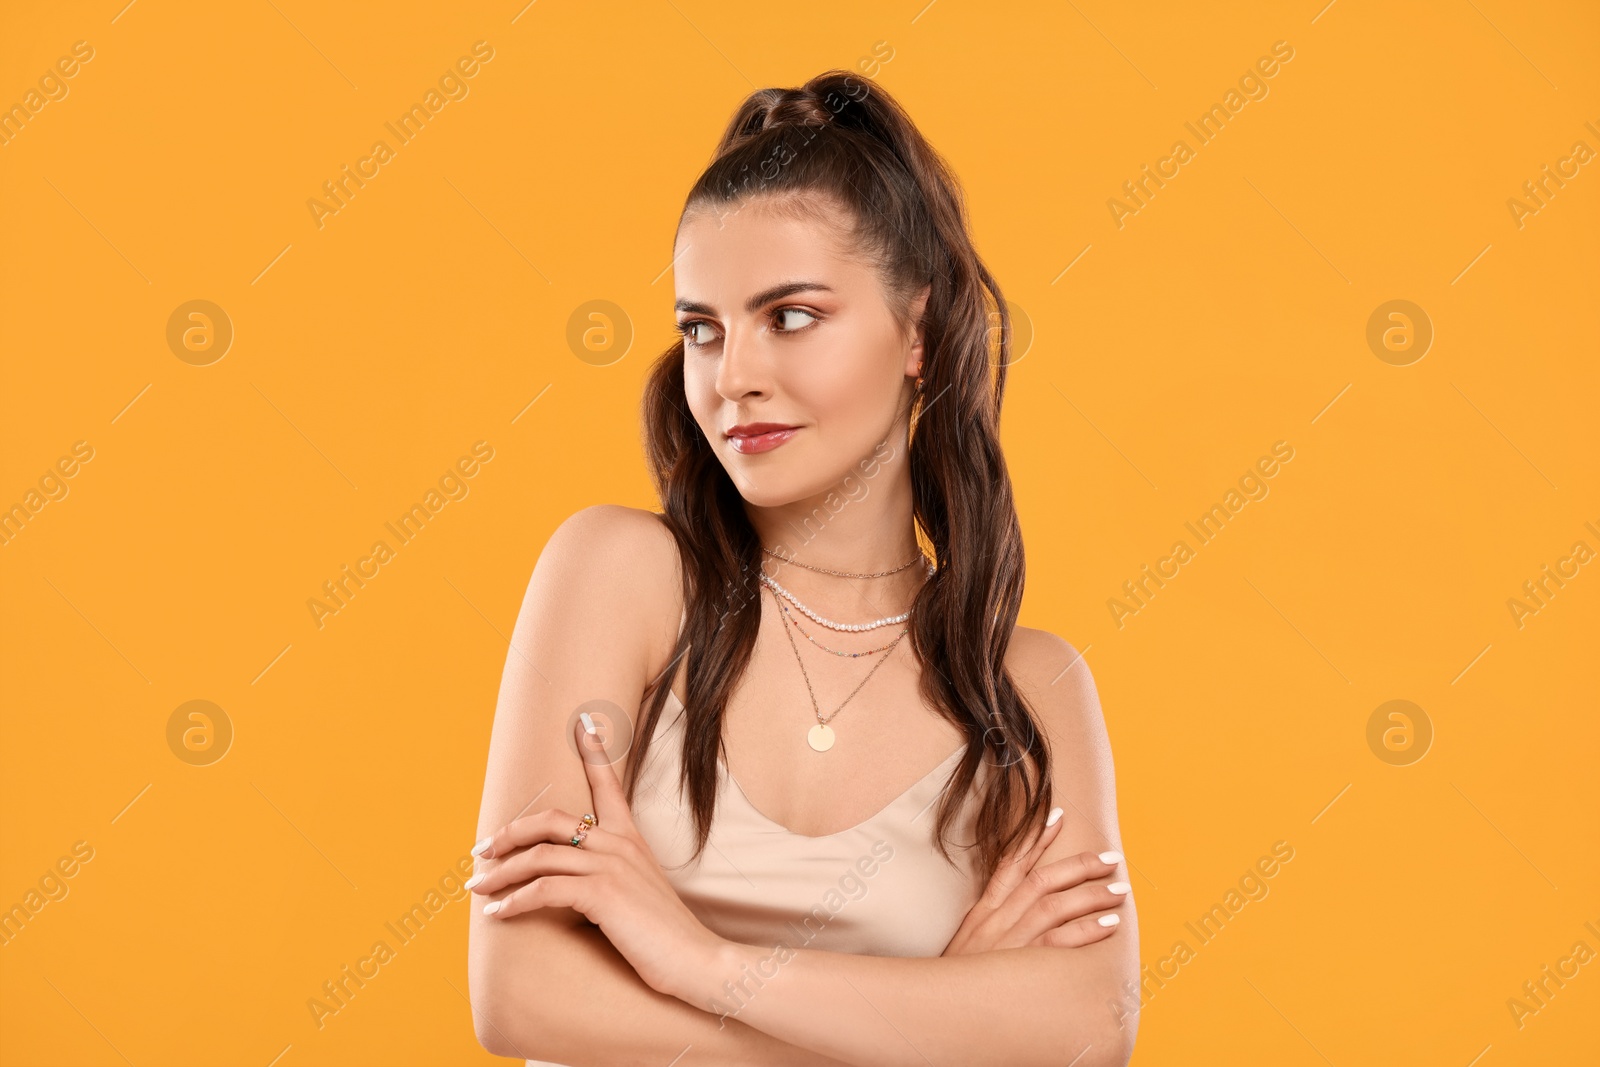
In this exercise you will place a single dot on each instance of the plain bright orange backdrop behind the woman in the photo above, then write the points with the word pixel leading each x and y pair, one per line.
pixel 372 353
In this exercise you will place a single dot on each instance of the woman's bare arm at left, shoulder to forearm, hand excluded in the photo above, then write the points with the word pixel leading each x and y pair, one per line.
pixel 601 609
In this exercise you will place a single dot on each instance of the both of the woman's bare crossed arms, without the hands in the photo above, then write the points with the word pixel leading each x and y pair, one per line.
pixel 546 986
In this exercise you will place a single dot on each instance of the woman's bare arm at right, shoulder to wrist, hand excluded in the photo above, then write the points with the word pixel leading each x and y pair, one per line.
pixel 1030 1005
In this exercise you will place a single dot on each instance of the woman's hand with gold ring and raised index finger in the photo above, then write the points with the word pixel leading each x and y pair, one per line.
pixel 614 881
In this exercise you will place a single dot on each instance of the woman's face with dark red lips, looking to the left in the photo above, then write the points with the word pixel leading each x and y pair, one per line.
pixel 785 326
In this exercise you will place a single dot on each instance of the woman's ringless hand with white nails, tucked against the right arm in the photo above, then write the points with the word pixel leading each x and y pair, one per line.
pixel 1041 906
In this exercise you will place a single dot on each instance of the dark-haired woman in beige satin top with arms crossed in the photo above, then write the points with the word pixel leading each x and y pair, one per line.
pixel 798 661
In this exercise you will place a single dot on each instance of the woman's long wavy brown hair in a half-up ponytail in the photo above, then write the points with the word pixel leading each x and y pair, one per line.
pixel 844 140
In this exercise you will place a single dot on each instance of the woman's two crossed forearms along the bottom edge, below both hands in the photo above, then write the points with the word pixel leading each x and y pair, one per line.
pixel 569 997
